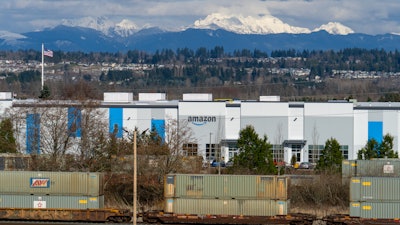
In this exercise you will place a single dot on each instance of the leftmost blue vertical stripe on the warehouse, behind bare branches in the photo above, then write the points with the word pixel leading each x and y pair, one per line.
pixel 33 133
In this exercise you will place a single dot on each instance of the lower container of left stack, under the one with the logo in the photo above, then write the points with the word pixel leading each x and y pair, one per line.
pixel 51 201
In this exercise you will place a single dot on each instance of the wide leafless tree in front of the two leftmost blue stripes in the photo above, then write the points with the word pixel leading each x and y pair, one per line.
pixel 64 137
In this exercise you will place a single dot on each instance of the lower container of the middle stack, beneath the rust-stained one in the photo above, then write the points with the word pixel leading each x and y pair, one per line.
pixel 247 207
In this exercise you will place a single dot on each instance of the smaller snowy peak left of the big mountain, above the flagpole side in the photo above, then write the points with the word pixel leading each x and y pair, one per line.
pixel 124 28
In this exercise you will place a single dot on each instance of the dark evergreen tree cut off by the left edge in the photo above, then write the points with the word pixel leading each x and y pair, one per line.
pixel 7 139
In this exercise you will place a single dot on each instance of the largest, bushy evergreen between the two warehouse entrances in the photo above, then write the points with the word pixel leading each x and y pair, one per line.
pixel 255 154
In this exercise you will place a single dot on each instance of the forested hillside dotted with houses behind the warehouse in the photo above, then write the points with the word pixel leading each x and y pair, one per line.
pixel 245 74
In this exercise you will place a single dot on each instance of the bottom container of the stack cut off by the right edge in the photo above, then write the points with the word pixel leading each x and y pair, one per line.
pixel 376 210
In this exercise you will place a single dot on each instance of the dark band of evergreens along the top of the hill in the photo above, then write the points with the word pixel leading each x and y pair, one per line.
pixel 346 59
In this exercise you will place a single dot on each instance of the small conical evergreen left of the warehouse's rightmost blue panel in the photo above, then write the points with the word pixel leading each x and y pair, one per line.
pixel 331 157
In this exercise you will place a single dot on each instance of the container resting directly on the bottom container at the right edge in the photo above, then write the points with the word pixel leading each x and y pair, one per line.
pixel 375 189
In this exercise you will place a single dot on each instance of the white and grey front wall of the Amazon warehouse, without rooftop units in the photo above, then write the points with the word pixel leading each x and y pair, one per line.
pixel 283 122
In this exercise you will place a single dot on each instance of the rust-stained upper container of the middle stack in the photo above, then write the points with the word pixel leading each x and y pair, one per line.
pixel 226 186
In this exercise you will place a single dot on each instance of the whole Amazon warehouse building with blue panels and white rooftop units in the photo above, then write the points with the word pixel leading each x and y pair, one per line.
pixel 297 129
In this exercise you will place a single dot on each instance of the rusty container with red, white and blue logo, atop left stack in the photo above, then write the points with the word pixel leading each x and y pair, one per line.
pixel 51 183
